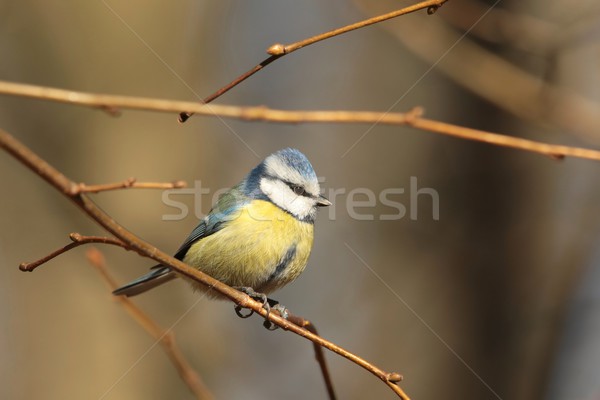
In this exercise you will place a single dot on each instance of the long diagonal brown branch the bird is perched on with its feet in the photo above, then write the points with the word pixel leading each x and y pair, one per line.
pixel 63 184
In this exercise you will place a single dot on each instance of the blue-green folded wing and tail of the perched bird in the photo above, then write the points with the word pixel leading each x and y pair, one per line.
pixel 224 211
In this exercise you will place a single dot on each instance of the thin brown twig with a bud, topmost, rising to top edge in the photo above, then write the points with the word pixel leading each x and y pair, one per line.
pixel 279 50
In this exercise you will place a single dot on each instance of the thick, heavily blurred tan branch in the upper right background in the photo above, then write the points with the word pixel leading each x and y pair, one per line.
pixel 496 79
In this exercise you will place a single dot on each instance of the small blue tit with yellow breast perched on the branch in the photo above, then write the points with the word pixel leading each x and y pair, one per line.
pixel 258 235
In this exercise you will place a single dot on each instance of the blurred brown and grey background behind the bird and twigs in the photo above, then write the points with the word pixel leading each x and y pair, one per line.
pixel 494 299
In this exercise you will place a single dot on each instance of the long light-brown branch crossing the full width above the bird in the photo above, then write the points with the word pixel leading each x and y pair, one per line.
pixel 412 118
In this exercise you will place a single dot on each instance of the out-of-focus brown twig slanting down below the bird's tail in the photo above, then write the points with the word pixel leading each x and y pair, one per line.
pixel 165 338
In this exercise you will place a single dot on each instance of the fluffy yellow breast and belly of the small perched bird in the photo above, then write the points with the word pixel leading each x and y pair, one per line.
pixel 251 249
